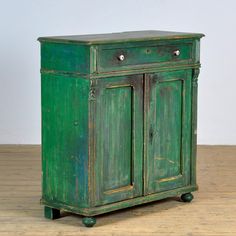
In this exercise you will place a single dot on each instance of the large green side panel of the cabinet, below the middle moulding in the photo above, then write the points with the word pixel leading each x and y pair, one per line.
pixel 65 139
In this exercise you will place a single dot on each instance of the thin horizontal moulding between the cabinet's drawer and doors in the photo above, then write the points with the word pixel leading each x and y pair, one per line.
pixel 148 69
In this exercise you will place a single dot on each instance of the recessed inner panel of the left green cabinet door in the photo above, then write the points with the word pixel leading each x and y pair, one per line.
pixel 116 142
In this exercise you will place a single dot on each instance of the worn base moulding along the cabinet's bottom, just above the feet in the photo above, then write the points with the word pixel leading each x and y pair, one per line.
pixel 118 205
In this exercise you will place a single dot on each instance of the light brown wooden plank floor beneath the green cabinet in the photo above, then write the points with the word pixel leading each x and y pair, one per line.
pixel 213 211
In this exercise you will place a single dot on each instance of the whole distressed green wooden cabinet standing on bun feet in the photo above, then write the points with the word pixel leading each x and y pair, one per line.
pixel 119 119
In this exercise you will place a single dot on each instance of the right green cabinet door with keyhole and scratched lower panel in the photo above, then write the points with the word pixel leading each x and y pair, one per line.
pixel 167 130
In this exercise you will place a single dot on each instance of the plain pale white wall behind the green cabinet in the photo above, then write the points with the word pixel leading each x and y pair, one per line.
pixel 21 22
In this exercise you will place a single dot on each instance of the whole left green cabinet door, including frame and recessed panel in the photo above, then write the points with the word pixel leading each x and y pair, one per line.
pixel 118 138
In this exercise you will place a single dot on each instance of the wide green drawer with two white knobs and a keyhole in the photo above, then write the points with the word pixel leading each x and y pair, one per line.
pixel 111 59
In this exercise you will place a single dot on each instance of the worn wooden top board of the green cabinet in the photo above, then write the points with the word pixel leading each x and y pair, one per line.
pixel 121 37
